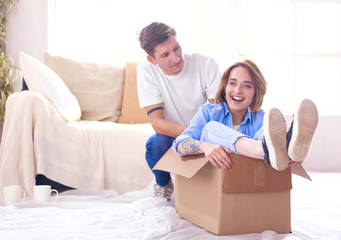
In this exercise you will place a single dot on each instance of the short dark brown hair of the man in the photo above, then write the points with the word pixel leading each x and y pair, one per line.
pixel 154 34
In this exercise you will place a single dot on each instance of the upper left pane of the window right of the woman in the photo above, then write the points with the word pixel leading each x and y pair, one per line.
pixel 268 27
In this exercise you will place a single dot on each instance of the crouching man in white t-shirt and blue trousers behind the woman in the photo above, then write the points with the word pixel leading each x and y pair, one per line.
pixel 171 87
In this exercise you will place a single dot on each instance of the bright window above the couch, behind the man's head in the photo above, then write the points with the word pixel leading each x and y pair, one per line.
pixel 107 29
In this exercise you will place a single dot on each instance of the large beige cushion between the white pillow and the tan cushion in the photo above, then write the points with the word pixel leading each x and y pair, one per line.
pixel 97 86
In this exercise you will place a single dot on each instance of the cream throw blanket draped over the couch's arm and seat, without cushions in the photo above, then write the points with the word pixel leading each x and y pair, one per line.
pixel 83 155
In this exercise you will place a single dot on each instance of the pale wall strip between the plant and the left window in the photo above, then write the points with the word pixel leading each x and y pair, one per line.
pixel 27 31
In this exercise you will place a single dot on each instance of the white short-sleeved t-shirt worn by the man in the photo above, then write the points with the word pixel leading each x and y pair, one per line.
pixel 181 94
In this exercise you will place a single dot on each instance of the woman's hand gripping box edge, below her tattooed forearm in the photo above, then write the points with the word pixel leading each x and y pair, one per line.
pixel 217 155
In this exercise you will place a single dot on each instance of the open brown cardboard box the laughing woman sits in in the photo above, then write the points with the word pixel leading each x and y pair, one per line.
pixel 251 197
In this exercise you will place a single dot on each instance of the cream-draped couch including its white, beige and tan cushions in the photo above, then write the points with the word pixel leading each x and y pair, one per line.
pixel 99 144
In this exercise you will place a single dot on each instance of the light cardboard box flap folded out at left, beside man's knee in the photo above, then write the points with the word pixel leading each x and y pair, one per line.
pixel 185 166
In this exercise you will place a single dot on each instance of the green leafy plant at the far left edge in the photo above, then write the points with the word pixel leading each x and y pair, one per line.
pixel 7 68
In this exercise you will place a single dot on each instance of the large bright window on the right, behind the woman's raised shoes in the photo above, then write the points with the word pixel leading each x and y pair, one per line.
pixel 298 45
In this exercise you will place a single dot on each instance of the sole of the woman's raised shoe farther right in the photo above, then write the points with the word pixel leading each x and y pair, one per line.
pixel 305 123
